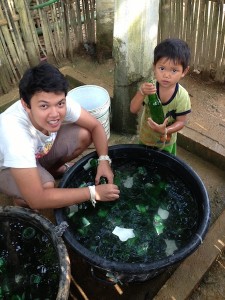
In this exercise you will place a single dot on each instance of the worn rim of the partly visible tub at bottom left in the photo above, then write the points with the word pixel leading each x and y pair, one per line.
pixel 48 228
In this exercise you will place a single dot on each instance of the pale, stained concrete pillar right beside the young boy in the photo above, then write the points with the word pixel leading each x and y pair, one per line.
pixel 135 37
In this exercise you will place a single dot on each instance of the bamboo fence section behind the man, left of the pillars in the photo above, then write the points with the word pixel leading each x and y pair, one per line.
pixel 31 32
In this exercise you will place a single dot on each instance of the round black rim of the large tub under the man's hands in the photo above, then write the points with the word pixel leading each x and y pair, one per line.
pixel 140 268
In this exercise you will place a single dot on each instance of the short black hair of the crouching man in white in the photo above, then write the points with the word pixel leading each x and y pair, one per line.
pixel 42 78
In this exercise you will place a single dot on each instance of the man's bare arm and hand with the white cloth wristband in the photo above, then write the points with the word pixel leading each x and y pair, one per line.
pixel 39 197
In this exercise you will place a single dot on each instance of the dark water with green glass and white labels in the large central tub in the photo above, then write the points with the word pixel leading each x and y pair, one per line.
pixel 156 209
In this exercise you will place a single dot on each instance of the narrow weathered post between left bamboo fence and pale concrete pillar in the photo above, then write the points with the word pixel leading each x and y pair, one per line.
pixel 104 28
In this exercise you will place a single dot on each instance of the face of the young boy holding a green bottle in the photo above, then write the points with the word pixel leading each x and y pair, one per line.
pixel 168 73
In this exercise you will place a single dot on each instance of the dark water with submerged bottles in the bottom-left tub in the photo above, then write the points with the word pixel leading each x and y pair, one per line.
pixel 29 267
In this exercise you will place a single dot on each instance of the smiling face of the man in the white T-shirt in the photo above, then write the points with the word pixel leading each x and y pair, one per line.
pixel 47 111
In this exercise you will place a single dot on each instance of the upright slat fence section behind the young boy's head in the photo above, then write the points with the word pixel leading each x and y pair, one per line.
pixel 202 24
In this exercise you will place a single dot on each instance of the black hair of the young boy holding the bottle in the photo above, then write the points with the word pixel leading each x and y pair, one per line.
pixel 174 49
